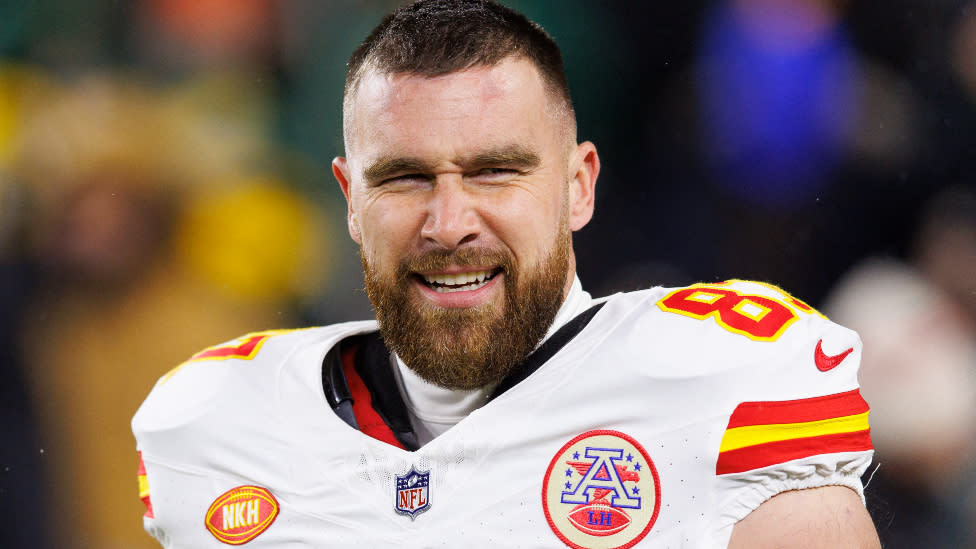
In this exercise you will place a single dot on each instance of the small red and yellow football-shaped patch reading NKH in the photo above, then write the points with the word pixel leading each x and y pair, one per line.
pixel 241 514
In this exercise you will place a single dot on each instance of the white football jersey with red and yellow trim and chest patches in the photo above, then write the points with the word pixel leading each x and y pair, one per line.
pixel 661 422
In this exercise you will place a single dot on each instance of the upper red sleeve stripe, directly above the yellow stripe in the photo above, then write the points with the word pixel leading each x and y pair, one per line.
pixel 798 411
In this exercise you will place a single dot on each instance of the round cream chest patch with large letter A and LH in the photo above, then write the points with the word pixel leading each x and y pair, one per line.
pixel 601 491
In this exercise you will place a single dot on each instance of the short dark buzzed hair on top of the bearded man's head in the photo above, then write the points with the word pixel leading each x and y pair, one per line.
pixel 437 37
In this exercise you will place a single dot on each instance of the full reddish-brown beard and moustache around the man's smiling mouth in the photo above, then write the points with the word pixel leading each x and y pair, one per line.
pixel 471 347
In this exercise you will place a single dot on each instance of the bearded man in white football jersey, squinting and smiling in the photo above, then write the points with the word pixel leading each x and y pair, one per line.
pixel 498 404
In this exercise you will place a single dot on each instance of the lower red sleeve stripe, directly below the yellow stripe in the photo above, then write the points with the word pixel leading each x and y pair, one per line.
pixel 771 453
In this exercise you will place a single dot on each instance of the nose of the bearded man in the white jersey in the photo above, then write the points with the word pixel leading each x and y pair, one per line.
pixel 452 218
